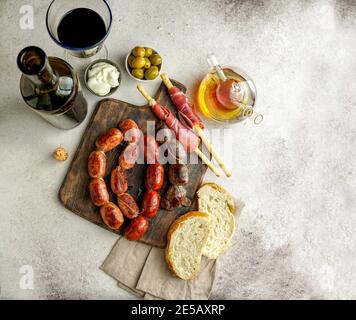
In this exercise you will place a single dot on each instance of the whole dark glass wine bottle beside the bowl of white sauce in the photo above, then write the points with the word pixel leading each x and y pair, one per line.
pixel 51 87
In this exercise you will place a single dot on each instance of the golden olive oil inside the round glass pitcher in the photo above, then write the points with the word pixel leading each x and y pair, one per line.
pixel 209 97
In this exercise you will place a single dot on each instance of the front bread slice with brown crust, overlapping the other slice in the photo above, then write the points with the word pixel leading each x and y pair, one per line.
pixel 186 239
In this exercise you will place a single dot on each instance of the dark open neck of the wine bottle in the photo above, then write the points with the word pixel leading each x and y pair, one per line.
pixel 34 64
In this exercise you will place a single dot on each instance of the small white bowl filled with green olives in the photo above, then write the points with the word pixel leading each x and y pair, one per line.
pixel 143 63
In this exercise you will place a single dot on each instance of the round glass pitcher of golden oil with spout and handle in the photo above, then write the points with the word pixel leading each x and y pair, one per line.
pixel 227 94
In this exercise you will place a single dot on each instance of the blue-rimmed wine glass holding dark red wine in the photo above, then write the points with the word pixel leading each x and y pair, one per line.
pixel 80 27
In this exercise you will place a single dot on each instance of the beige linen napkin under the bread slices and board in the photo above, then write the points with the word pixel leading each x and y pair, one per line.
pixel 141 270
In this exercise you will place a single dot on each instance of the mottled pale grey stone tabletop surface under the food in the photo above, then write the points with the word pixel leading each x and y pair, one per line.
pixel 295 172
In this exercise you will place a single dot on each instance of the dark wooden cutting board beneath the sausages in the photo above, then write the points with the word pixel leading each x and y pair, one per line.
pixel 74 192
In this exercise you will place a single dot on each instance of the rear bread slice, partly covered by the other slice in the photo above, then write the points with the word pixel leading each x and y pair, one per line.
pixel 220 206
